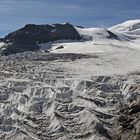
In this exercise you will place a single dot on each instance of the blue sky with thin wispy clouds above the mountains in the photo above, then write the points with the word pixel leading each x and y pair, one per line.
pixel 15 14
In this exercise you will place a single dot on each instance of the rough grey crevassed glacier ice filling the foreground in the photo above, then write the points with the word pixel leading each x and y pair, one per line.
pixel 45 98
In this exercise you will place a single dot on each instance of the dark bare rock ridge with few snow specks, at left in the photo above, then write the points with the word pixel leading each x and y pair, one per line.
pixel 28 37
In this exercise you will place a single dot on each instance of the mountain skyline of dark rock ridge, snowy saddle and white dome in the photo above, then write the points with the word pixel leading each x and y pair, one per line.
pixel 31 36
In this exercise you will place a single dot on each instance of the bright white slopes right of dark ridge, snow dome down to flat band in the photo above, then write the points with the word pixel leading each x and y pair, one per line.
pixel 121 37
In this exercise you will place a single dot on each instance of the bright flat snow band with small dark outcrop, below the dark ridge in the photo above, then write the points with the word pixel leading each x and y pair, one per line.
pixel 88 47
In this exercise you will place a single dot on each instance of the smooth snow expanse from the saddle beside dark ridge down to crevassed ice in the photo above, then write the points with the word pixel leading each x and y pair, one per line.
pixel 112 56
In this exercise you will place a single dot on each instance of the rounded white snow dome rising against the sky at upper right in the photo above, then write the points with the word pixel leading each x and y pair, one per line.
pixel 130 27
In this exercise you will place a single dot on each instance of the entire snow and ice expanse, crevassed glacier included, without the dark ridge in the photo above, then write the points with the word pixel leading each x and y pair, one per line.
pixel 87 90
